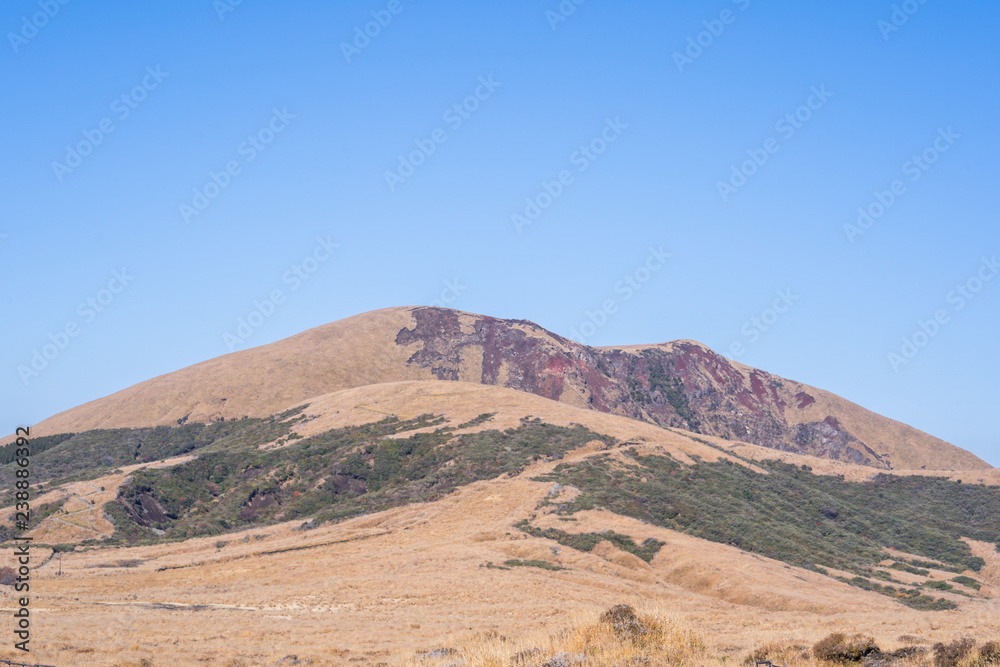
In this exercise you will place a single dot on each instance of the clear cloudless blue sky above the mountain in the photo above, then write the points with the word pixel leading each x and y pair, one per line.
pixel 204 150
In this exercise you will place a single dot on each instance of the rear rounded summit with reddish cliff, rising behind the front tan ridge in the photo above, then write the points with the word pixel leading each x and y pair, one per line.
pixel 680 384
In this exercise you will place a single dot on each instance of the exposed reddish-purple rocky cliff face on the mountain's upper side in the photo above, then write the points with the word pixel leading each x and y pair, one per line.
pixel 681 384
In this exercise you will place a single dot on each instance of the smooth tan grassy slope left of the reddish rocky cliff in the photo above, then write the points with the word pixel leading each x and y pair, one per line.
pixel 257 382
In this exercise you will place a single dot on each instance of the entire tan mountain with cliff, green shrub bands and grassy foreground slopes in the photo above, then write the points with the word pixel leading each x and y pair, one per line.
pixel 429 472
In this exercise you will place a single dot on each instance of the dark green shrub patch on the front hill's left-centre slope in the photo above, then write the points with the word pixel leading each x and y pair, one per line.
pixel 338 474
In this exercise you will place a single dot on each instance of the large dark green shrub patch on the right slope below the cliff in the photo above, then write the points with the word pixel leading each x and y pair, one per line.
pixel 789 514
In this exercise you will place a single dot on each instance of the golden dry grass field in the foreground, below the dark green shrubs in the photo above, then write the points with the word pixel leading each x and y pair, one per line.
pixel 381 587
